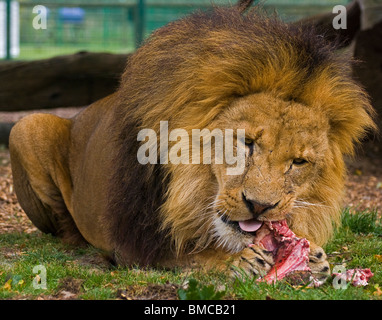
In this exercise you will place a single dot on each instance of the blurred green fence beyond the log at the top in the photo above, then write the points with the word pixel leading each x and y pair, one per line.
pixel 108 25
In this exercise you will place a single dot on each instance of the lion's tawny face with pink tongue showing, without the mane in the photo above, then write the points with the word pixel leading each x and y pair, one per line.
pixel 287 152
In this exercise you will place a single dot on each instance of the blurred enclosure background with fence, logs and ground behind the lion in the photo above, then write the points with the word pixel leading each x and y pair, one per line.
pixel 58 56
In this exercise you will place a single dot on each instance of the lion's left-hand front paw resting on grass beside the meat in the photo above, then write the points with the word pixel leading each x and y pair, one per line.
pixel 253 261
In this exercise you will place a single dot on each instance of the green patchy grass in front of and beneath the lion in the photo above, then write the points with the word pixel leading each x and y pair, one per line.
pixel 82 273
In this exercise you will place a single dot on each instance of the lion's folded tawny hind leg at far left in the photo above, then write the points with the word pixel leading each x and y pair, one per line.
pixel 39 147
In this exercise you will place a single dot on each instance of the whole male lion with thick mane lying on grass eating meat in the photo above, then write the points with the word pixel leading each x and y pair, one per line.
pixel 285 85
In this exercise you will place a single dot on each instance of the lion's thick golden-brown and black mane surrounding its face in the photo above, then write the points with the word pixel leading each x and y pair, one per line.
pixel 187 73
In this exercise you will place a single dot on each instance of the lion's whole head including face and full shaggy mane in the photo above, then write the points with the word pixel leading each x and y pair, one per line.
pixel 284 84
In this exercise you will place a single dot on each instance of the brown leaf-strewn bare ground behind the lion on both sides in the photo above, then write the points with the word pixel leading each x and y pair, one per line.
pixel 363 186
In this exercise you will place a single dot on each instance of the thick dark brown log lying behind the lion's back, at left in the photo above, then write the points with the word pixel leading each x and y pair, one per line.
pixel 70 80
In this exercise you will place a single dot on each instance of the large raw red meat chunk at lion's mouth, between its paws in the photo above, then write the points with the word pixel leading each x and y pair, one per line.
pixel 290 253
